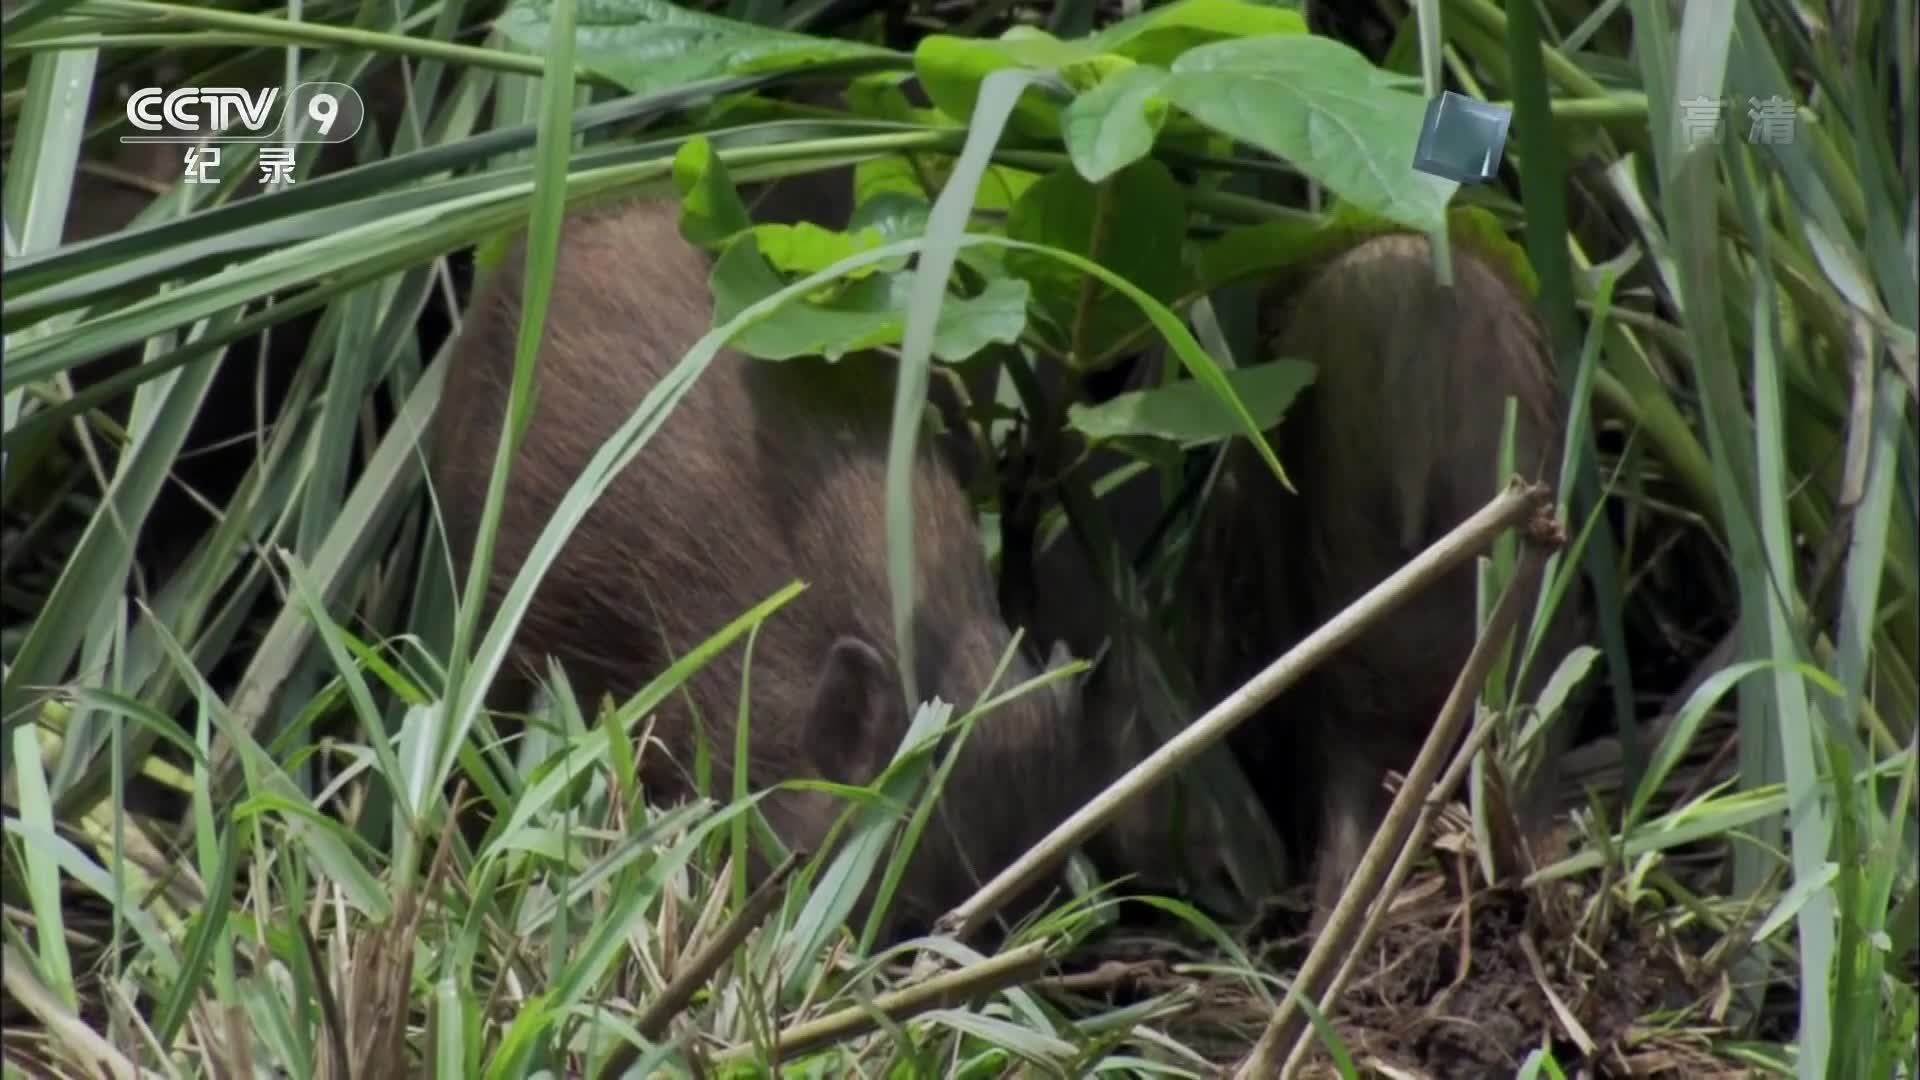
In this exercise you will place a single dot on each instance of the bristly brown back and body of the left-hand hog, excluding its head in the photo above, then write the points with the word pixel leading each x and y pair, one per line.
pixel 765 474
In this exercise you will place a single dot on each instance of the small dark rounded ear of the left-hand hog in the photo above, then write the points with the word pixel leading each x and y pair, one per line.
pixel 853 725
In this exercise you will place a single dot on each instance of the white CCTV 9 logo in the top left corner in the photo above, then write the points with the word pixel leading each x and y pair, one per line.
pixel 314 112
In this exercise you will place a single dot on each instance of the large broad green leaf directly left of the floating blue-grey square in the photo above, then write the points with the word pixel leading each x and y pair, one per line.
pixel 1322 109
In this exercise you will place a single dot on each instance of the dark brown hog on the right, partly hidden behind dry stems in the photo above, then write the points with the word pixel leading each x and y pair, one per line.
pixel 1395 445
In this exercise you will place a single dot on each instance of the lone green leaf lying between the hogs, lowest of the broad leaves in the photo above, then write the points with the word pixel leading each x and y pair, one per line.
pixel 1191 414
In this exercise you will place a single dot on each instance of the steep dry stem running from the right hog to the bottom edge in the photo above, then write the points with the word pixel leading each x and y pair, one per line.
pixel 1393 850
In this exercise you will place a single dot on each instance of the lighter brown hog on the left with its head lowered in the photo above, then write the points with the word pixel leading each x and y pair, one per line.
pixel 763 474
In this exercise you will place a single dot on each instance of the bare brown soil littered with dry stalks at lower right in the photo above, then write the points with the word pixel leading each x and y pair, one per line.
pixel 1468 981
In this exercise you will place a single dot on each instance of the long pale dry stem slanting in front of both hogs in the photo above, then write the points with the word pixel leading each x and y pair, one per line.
pixel 1514 506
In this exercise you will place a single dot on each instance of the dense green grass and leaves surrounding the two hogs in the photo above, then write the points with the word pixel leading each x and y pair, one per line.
pixel 241 693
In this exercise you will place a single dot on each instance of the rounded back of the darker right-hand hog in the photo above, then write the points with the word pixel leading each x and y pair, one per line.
pixel 1399 445
